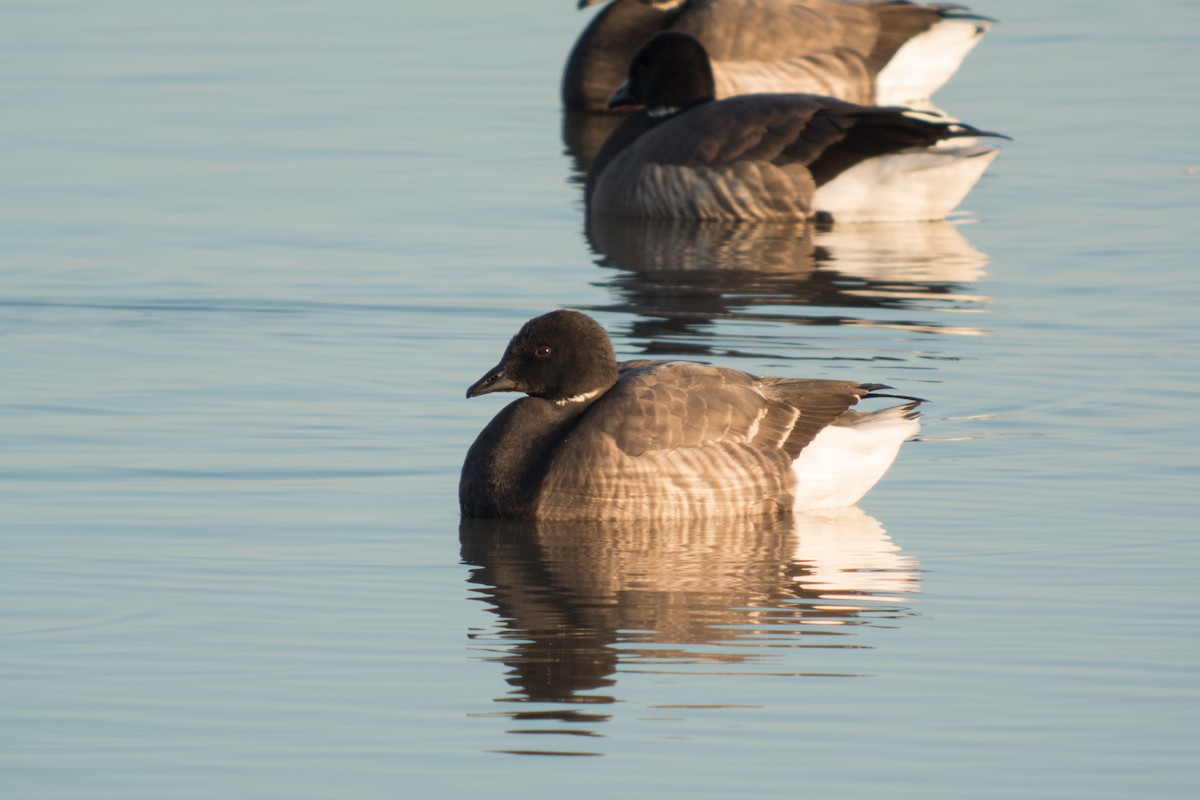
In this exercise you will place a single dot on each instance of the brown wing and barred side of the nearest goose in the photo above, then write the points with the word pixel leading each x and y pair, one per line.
pixel 676 440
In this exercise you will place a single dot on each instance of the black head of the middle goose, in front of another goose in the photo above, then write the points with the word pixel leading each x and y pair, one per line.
pixel 670 73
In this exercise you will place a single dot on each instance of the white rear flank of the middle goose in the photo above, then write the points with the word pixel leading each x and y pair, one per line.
pixel 905 187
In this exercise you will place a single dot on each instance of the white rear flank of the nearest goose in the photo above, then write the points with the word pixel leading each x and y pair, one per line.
pixel 843 464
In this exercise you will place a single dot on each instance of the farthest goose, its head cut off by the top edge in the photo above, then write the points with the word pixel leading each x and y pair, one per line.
pixel 889 52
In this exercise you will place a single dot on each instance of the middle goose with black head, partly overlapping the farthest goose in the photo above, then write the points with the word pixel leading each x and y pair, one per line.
pixel 687 155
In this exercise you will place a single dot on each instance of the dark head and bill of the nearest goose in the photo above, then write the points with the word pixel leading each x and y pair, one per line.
pixel 562 357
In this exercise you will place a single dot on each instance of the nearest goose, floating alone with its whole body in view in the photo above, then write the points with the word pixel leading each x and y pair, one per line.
pixel 597 440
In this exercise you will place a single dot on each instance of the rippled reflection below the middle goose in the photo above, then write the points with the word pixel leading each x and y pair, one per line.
pixel 681 276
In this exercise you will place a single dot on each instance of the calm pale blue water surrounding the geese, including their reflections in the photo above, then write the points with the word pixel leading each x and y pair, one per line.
pixel 255 252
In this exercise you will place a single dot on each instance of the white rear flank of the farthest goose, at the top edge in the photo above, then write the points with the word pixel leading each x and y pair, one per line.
pixel 927 62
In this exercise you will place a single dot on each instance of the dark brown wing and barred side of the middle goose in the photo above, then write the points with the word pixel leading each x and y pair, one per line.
pixel 755 157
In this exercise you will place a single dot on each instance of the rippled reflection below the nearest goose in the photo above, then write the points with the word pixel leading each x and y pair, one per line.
pixel 579 604
